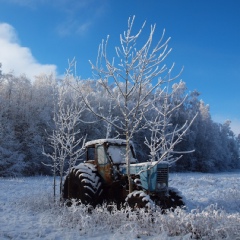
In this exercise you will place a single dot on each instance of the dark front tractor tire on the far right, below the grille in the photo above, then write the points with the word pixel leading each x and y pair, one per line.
pixel 174 199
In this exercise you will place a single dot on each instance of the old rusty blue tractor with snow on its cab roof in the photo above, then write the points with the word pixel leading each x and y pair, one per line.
pixel 103 178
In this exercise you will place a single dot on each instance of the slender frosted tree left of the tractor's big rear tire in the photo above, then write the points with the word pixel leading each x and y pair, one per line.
pixel 66 144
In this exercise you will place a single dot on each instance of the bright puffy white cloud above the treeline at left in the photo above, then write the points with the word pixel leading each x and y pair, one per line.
pixel 19 59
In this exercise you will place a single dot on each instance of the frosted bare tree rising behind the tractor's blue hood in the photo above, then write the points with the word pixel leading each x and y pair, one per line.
pixel 165 136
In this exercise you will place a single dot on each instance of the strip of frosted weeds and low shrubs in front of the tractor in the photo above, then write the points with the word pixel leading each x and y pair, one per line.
pixel 209 223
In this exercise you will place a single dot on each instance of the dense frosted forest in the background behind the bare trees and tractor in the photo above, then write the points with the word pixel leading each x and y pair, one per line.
pixel 26 122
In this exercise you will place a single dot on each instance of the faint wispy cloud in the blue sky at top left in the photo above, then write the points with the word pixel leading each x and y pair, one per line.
pixel 78 16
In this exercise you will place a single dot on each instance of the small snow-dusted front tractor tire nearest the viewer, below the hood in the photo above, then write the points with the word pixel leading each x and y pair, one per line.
pixel 139 199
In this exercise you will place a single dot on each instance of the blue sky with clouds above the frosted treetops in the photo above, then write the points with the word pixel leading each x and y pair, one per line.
pixel 41 35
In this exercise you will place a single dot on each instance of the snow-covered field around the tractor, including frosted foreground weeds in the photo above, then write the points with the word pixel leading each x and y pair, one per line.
pixel 27 211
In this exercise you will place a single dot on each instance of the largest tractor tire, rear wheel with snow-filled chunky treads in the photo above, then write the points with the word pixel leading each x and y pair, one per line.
pixel 83 184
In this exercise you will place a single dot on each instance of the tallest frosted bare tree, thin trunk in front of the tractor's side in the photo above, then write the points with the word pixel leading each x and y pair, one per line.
pixel 130 79
